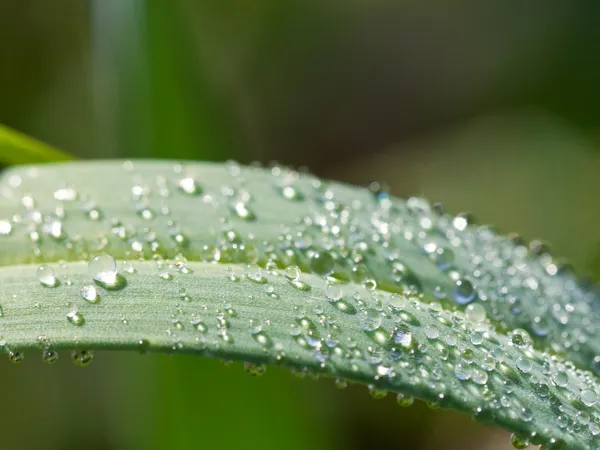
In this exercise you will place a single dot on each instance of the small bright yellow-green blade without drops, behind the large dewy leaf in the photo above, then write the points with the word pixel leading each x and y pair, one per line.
pixel 17 148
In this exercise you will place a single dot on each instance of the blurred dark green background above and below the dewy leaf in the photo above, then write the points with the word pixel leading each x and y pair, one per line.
pixel 491 106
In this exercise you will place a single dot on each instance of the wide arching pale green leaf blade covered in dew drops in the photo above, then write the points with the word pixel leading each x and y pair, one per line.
pixel 272 267
